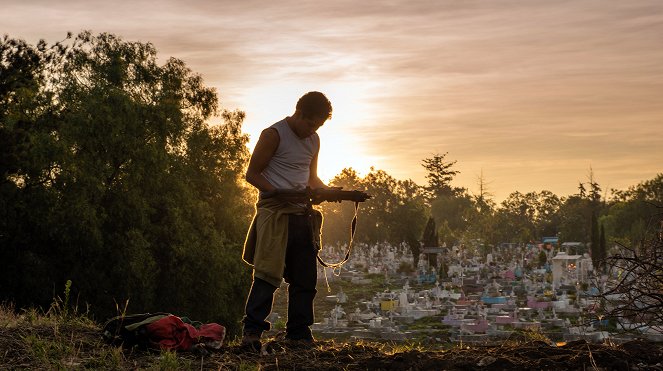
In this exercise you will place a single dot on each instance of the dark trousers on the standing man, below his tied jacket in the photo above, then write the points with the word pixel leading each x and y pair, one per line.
pixel 300 274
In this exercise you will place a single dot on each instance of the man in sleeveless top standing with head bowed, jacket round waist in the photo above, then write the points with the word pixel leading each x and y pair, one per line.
pixel 280 243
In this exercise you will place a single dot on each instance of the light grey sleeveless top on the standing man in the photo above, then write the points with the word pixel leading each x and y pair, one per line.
pixel 289 168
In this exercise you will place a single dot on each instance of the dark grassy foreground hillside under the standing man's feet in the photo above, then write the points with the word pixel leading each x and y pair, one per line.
pixel 33 341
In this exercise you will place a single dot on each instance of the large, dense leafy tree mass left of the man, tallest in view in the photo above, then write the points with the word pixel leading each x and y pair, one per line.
pixel 119 169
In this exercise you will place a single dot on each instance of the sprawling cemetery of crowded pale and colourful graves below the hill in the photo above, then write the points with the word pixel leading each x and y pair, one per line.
pixel 381 295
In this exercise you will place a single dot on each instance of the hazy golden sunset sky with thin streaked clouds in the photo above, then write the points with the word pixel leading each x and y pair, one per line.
pixel 528 95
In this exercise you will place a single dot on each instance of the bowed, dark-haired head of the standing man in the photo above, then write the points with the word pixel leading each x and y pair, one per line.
pixel 312 110
